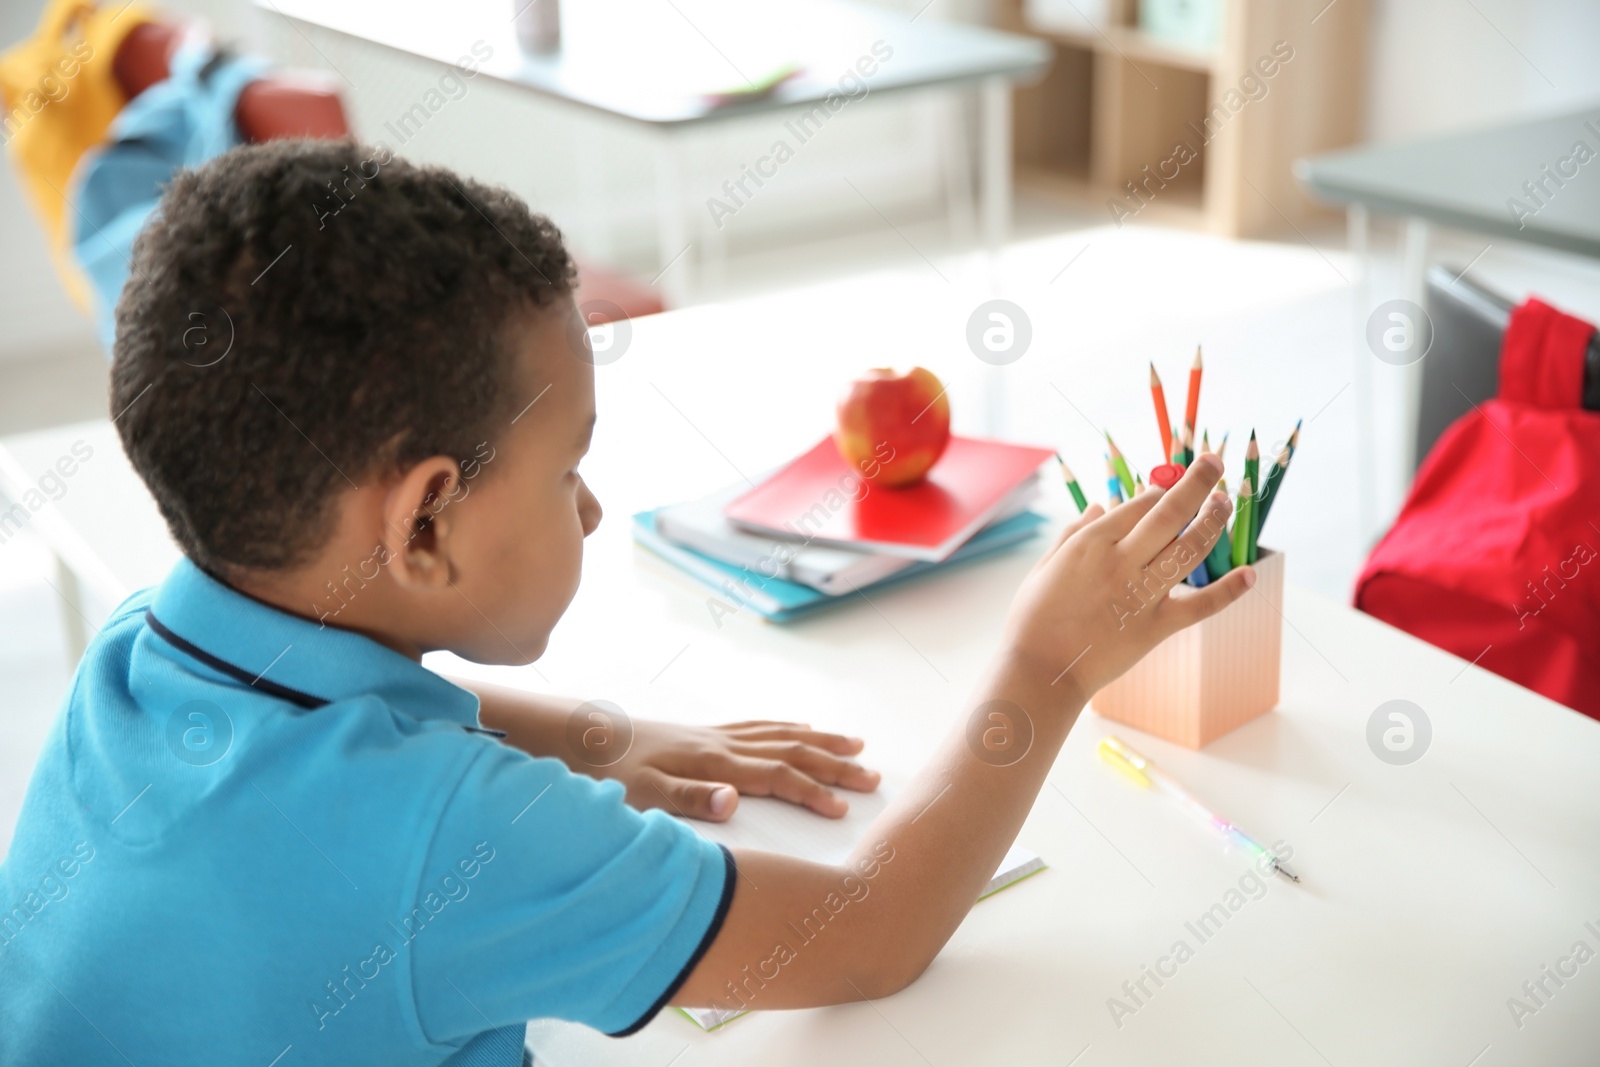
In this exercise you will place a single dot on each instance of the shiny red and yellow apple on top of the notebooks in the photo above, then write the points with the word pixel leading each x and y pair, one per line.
pixel 894 428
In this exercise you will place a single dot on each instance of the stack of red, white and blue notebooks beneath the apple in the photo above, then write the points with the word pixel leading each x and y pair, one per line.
pixel 814 532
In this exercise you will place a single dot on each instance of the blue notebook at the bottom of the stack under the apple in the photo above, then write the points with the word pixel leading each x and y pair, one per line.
pixel 783 601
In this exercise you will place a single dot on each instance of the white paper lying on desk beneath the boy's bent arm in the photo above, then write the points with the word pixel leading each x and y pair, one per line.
pixel 777 826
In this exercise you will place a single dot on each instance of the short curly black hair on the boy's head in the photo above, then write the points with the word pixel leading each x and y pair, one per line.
pixel 305 314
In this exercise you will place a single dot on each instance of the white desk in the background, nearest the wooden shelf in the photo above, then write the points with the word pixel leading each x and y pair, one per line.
pixel 652 66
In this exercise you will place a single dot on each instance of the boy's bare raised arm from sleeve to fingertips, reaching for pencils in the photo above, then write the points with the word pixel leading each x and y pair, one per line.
pixel 1103 596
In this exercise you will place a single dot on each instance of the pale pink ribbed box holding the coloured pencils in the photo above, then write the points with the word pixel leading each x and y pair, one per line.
pixel 1212 677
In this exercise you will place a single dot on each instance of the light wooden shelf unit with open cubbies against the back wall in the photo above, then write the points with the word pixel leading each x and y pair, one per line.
pixel 1202 137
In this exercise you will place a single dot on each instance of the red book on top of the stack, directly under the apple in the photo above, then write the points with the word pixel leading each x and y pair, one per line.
pixel 820 498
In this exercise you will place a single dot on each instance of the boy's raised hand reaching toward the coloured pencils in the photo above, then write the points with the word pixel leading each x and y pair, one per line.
pixel 1113 588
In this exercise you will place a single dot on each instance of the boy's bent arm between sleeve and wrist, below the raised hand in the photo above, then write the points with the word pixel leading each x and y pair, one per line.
pixel 911 879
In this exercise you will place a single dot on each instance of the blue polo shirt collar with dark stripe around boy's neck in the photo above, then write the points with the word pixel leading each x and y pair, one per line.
pixel 294 658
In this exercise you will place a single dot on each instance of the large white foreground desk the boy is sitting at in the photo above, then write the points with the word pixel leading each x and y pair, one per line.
pixel 1431 892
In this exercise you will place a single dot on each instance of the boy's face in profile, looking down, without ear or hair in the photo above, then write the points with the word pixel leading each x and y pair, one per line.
pixel 522 513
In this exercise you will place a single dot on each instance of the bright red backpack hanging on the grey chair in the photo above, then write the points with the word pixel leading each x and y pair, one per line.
pixel 1497 554
